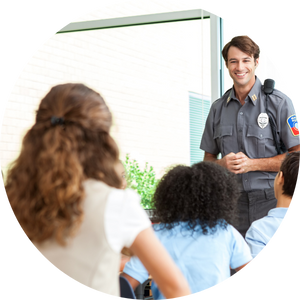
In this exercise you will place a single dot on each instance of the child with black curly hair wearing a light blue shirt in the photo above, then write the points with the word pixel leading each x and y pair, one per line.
pixel 196 206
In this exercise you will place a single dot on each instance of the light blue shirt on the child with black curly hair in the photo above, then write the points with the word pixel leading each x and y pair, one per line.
pixel 204 260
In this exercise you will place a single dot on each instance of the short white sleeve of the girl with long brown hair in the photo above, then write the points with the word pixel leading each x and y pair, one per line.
pixel 124 218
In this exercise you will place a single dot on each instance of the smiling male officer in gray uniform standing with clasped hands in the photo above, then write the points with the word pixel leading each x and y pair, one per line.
pixel 239 128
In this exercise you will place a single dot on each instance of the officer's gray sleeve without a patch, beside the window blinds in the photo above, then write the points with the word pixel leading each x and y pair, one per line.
pixel 208 143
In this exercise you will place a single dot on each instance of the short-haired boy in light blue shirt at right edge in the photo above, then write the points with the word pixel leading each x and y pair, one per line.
pixel 263 232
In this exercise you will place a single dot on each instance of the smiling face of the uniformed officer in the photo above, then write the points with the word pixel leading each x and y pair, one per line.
pixel 241 67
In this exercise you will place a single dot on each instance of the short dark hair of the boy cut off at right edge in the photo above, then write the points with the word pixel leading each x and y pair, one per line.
pixel 290 168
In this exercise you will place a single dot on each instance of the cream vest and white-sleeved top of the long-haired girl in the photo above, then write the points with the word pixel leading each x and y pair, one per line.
pixel 91 260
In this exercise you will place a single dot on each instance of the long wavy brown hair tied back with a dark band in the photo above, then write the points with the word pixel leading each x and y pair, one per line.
pixel 44 190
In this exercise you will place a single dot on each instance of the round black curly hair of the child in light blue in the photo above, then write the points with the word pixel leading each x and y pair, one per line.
pixel 205 193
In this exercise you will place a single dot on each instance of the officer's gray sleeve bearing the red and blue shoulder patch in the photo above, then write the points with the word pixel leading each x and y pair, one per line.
pixel 284 112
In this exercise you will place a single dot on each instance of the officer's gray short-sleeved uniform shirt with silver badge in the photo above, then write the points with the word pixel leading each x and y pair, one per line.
pixel 232 127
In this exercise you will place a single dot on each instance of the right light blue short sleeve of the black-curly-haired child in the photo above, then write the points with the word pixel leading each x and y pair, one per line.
pixel 240 250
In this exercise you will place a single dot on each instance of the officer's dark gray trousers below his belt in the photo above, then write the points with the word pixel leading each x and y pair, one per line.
pixel 252 206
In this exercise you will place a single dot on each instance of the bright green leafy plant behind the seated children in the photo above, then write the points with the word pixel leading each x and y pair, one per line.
pixel 143 182
